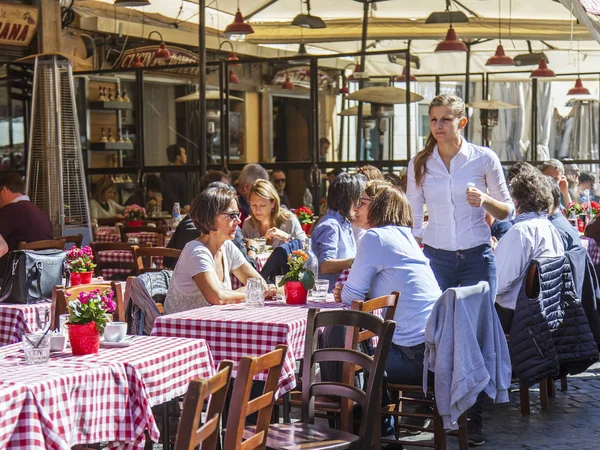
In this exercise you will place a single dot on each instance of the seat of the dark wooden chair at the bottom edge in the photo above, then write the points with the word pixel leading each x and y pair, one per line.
pixel 301 436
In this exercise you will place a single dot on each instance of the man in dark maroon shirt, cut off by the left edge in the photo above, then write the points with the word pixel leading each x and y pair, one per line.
pixel 20 220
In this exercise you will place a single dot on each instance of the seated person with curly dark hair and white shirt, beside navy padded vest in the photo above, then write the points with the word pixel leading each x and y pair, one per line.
pixel 532 236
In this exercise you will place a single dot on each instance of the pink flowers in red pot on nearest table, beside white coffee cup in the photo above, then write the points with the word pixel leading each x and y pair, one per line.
pixel 88 315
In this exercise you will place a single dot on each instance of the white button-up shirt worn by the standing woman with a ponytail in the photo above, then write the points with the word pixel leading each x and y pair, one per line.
pixel 453 224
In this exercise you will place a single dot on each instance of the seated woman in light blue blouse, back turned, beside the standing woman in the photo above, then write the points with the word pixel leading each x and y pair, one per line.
pixel 389 259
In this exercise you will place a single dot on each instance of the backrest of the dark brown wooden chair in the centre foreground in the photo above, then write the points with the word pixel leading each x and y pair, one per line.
pixel 370 399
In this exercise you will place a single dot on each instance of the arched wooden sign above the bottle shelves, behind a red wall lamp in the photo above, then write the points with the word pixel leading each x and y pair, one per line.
pixel 146 55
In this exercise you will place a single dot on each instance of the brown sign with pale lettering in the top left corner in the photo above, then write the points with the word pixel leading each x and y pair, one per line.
pixel 17 24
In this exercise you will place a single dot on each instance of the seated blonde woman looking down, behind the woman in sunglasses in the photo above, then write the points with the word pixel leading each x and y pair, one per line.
pixel 268 219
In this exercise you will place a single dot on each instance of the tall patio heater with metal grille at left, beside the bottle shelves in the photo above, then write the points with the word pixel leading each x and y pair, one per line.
pixel 55 174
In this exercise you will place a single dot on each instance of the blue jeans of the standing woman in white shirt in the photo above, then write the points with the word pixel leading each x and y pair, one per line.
pixel 463 267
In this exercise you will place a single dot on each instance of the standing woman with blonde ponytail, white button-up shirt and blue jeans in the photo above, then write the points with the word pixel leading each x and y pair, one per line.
pixel 453 178
